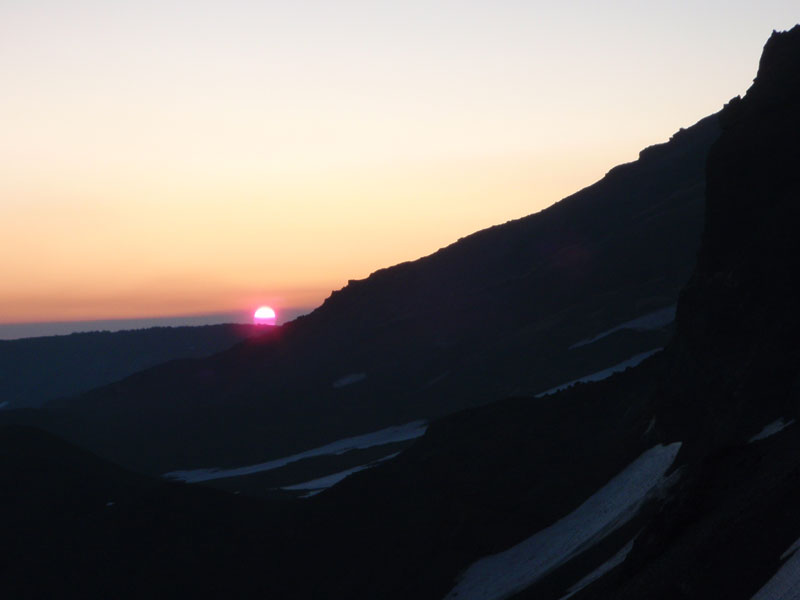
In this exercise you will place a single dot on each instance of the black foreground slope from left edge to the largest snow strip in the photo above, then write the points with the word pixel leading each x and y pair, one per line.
pixel 77 526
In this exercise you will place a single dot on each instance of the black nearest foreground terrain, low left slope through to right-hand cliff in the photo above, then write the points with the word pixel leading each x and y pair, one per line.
pixel 677 479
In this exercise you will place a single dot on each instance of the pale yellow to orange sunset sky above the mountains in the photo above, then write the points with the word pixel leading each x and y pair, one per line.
pixel 176 157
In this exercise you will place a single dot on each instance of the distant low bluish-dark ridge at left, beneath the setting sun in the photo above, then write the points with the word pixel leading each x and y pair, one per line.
pixel 35 370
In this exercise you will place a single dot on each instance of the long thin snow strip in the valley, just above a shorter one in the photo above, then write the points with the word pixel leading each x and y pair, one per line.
pixel 396 433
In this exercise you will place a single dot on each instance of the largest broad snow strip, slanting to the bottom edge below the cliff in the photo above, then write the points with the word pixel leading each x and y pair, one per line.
pixel 501 575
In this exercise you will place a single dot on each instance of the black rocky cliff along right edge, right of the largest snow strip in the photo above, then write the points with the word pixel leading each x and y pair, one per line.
pixel 731 389
